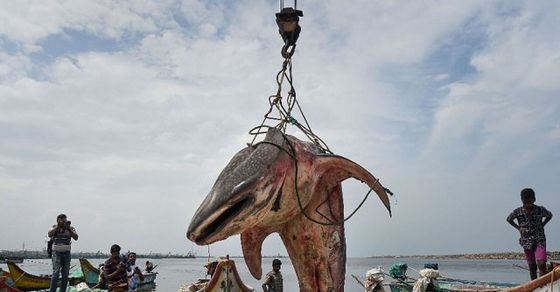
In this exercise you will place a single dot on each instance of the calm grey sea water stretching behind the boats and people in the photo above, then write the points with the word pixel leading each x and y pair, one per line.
pixel 172 273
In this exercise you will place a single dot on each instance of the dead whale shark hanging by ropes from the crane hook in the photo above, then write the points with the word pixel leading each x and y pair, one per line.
pixel 290 187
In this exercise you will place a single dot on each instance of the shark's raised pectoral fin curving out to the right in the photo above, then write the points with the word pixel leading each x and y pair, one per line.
pixel 337 168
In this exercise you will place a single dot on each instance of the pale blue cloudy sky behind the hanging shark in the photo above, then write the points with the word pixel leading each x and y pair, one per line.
pixel 121 114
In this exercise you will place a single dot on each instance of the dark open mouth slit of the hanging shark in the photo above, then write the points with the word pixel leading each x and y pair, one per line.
pixel 224 219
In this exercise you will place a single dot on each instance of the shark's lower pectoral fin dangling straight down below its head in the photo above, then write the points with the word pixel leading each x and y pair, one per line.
pixel 251 244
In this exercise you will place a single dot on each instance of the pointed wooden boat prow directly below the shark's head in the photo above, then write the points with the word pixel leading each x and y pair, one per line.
pixel 224 278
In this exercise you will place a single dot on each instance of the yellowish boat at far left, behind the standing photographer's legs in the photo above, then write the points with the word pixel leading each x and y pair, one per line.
pixel 25 281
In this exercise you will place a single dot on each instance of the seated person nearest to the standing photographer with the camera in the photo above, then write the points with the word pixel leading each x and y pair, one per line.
pixel 115 270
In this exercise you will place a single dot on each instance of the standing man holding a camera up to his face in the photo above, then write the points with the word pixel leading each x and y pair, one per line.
pixel 61 234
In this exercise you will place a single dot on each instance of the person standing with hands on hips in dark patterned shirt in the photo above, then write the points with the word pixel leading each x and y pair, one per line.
pixel 531 220
